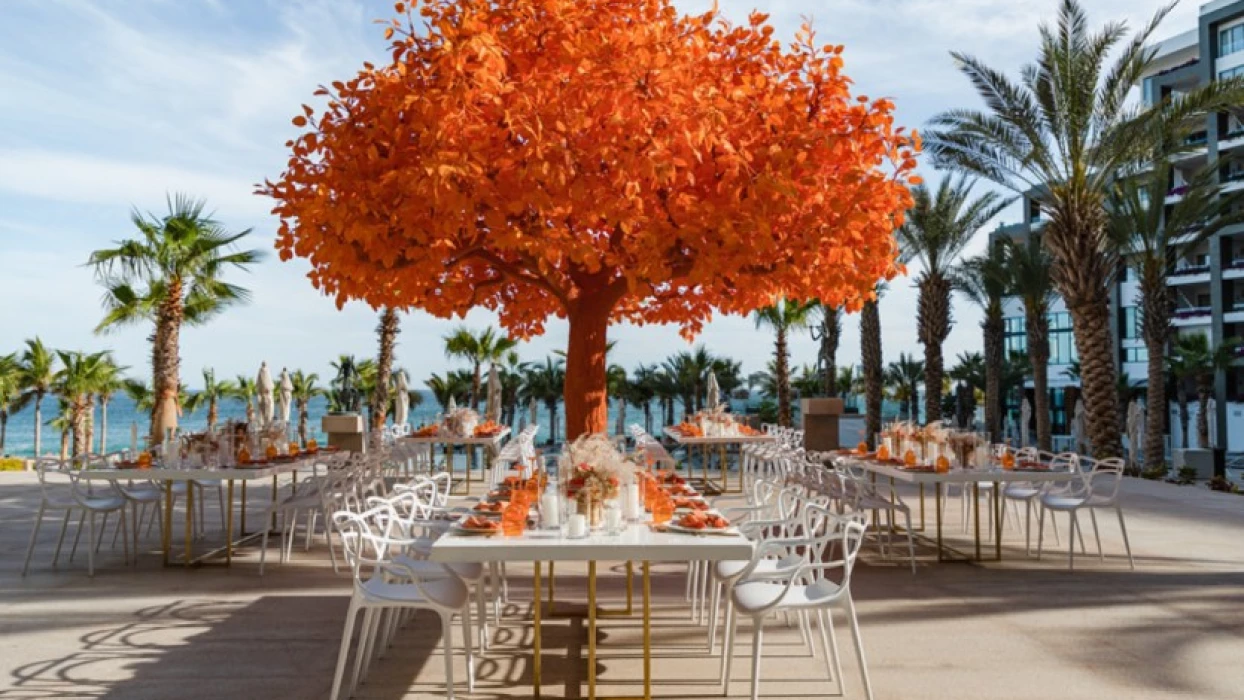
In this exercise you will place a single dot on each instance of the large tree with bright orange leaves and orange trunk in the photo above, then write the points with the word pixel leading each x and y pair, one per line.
pixel 598 161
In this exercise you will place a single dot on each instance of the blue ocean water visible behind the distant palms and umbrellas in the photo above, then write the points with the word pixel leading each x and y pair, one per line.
pixel 21 440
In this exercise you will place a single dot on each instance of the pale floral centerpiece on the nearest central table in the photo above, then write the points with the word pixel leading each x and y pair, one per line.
pixel 594 472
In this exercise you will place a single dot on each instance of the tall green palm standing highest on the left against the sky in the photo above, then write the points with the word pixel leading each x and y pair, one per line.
pixel 171 277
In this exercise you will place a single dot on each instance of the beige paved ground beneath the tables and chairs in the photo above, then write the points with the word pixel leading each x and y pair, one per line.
pixel 1174 629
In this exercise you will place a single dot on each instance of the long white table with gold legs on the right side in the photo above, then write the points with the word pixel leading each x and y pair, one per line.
pixel 973 478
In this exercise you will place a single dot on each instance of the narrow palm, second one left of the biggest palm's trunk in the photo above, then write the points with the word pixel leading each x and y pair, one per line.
pixel 985 280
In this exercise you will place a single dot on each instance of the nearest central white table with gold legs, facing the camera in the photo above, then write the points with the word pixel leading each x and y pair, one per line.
pixel 638 543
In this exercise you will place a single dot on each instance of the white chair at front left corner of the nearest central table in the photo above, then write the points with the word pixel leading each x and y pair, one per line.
pixel 383 586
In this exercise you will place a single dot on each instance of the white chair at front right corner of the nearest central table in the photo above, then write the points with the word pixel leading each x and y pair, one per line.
pixel 808 590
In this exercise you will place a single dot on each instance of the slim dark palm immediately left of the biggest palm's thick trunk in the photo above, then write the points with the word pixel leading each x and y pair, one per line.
pixel 1028 265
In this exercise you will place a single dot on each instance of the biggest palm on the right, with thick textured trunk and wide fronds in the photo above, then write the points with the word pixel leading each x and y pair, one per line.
pixel 1067 131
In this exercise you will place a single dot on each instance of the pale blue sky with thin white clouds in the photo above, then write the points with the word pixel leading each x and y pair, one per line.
pixel 109 106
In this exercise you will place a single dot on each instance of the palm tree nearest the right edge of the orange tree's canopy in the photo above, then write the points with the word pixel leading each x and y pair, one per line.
pixel 939 228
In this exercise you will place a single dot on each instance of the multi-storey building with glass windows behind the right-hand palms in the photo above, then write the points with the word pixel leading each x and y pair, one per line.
pixel 1209 282
